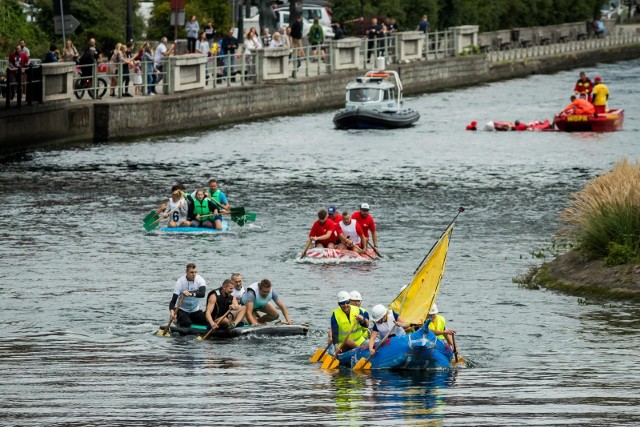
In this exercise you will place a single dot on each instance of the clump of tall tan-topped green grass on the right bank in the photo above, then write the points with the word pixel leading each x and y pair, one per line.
pixel 604 217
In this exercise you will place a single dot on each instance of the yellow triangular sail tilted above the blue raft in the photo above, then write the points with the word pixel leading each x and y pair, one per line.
pixel 414 301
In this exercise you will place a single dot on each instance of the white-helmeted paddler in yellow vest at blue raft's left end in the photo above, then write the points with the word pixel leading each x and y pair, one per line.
pixel 347 318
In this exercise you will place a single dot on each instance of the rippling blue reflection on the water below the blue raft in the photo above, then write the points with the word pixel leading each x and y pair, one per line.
pixel 413 396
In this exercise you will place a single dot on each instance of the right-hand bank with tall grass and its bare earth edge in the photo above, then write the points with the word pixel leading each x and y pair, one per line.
pixel 602 221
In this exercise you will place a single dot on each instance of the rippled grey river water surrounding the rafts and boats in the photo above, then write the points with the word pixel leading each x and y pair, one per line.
pixel 85 287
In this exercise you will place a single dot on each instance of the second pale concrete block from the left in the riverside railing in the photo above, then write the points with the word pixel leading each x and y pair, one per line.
pixel 185 72
